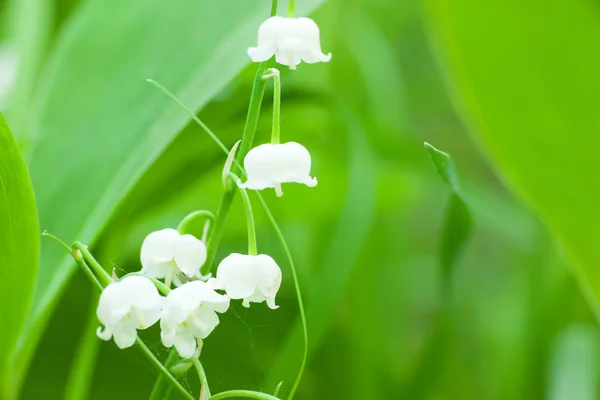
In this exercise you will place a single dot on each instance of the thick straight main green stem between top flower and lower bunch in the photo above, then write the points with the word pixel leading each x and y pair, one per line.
pixel 247 139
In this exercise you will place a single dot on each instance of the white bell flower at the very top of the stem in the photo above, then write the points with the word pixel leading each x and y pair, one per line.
pixel 291 40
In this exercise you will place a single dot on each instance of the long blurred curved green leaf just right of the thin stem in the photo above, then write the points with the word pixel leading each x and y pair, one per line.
pixel 326 293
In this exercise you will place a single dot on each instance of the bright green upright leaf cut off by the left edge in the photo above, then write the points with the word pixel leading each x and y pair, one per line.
pixel 19 248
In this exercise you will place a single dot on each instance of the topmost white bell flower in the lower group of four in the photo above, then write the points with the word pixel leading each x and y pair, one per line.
pixel 168 254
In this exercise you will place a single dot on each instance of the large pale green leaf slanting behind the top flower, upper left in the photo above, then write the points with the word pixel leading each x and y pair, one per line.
pixel 100 125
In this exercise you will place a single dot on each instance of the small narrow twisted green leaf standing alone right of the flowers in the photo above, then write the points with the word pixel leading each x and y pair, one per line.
pixel 458 223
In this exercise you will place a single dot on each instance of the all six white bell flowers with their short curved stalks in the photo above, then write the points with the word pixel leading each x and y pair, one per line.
pixel 189 312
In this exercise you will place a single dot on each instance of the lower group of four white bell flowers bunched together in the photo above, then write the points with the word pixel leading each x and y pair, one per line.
pixel 188 312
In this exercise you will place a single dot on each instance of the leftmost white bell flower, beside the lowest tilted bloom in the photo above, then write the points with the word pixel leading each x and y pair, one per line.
pixel 127 305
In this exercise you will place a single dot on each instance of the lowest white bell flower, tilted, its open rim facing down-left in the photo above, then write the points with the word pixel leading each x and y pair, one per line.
pixel 190 313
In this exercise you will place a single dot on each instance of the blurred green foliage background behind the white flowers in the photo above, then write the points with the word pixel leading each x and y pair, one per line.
pixel 112 159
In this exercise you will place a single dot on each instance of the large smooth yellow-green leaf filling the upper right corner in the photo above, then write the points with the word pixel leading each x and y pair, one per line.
pixel 526 81
